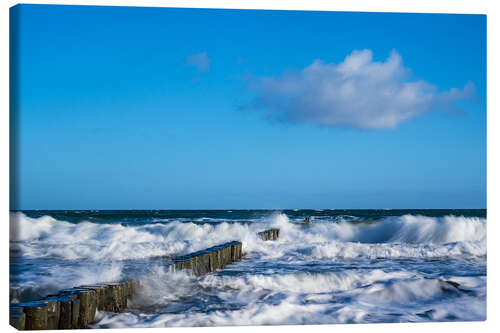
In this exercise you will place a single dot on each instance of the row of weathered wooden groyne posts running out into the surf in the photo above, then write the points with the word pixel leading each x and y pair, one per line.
pixel 76 307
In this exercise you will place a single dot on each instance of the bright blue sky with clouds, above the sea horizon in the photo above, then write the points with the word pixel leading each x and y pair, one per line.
pixel 161 108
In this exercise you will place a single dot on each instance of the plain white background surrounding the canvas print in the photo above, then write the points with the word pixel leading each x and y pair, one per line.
pixel 418 6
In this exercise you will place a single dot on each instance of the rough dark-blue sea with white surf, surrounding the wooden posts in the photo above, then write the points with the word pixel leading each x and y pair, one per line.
pixel 345 266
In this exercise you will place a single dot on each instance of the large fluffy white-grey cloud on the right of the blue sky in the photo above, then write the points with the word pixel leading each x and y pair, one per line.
pixel 357 93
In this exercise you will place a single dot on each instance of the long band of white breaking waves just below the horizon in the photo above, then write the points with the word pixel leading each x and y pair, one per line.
pixel 391 237
